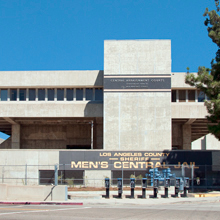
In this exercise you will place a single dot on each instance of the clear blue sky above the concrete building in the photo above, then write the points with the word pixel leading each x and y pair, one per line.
pixel 70 34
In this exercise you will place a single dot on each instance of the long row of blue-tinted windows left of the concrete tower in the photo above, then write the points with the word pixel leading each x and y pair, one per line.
pixel 69 94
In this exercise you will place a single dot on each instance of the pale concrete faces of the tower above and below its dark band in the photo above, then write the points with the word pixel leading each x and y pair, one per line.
pixel 137 120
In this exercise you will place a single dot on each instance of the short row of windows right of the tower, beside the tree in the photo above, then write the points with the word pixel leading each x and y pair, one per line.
pixel 188 96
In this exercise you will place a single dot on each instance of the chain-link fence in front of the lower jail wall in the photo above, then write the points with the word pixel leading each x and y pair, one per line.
pixel 201 177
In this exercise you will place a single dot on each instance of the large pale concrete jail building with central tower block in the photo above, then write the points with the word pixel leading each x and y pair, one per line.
pixel 135 104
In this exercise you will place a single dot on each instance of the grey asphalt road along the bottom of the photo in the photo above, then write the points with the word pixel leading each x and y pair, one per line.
pixel 181 210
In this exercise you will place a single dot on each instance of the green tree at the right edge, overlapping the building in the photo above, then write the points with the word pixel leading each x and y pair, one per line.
pixel 208 79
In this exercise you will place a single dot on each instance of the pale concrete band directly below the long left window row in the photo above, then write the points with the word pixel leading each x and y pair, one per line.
pixel 54 109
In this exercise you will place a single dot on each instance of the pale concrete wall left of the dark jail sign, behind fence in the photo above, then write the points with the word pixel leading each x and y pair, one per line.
pixel 15 161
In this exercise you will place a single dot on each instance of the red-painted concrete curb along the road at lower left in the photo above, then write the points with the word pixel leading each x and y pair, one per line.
pixel 41 203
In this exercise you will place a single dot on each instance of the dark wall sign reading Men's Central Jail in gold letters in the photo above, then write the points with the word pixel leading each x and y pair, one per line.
pixel 133 160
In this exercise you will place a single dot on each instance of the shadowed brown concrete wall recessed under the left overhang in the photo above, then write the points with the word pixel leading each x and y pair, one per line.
pixel 43 136
